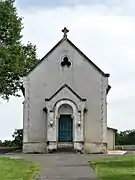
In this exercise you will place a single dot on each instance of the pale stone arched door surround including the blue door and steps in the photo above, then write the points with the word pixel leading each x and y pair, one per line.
pixel 65 124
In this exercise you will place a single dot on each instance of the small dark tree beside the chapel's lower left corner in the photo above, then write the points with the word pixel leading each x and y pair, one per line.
pixel 18 138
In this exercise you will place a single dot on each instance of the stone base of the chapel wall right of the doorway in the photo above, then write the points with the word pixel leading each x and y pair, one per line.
pixel 95 148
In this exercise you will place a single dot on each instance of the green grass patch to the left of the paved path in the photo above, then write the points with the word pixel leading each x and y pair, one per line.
pixel 17 169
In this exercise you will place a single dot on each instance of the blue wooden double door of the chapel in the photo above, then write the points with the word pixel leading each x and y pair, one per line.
pixel 65 128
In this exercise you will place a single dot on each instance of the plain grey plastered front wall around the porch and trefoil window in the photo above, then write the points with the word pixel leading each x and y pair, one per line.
pixel 86 81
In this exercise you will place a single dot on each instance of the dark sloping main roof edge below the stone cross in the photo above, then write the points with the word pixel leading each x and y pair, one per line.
pixel 78 50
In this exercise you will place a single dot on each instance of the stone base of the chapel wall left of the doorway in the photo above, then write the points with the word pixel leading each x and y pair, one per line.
pixel 34 147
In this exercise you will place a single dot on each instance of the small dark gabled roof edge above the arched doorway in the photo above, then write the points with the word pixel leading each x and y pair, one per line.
pixel 68 87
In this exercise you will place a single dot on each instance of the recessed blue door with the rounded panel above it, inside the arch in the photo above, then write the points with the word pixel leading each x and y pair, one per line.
pixel 65 124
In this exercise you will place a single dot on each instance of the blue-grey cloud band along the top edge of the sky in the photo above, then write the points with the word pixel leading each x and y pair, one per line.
pixel 126 7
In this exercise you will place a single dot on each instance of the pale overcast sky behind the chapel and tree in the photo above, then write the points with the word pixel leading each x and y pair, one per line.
pixel 103 29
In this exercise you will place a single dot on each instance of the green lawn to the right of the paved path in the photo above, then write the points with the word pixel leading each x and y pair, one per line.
pixel 118 168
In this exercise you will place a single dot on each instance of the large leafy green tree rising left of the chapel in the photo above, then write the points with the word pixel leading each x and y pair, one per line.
pixel 16 59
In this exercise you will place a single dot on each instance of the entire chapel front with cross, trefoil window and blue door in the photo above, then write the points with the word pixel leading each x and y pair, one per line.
pixel 65 103
